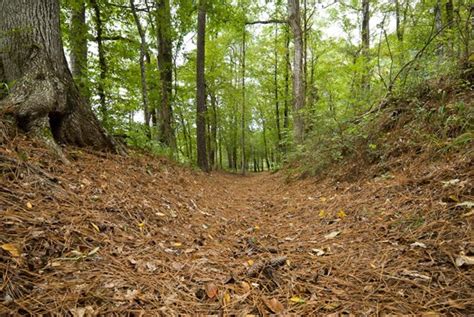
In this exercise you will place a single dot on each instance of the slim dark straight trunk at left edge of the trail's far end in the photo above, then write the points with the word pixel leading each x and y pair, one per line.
pixel 201 89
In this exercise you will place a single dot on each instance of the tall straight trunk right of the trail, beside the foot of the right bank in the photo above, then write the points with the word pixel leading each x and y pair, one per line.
pixel 294 19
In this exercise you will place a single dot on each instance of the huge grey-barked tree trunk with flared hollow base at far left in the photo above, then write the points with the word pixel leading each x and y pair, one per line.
pixel 44 95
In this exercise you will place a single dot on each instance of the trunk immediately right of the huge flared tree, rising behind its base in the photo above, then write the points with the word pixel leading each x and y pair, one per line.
pixel 78 55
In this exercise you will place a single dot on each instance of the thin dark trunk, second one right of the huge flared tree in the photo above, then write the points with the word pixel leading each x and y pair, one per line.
pixel 102 61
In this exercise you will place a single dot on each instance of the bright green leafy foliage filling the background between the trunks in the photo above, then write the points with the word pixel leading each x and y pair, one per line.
pixel 343 83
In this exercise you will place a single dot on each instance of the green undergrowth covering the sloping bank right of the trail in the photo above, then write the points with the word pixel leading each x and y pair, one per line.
pixel 435 118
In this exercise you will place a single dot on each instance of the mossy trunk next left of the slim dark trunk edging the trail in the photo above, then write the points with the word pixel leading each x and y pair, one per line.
pixel 165 65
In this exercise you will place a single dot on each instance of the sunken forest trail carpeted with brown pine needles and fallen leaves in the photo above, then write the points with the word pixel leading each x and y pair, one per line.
pixel 137 235
